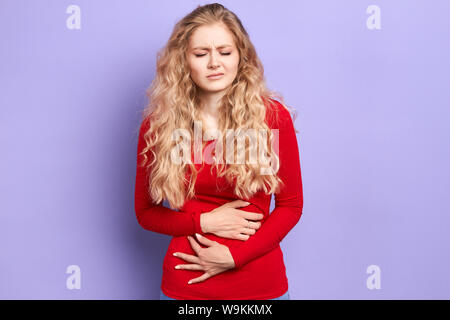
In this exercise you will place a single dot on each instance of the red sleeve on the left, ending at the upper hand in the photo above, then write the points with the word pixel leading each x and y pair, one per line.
pixel 154 217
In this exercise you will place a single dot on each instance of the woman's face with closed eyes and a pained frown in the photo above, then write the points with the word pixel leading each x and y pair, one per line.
pixel 212 51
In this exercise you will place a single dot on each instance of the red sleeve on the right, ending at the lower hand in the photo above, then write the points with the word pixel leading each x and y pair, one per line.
pixel 288 202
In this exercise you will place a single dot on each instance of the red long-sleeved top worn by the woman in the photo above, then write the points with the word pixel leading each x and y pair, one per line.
pixel 260 272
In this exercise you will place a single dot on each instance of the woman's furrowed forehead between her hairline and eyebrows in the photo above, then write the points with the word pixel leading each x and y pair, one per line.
pixel 207 36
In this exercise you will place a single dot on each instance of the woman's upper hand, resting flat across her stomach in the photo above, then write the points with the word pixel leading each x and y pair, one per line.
pixel 228 222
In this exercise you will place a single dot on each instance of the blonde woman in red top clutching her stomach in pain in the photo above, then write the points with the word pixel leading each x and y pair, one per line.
pixel 225 244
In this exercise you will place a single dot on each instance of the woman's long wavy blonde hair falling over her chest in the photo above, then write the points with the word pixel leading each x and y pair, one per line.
pixel 173 104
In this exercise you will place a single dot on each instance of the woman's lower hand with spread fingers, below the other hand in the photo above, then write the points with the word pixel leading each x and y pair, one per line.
pixel 214 259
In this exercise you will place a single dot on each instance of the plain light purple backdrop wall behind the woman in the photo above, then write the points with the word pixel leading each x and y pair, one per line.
pixel 373 115
